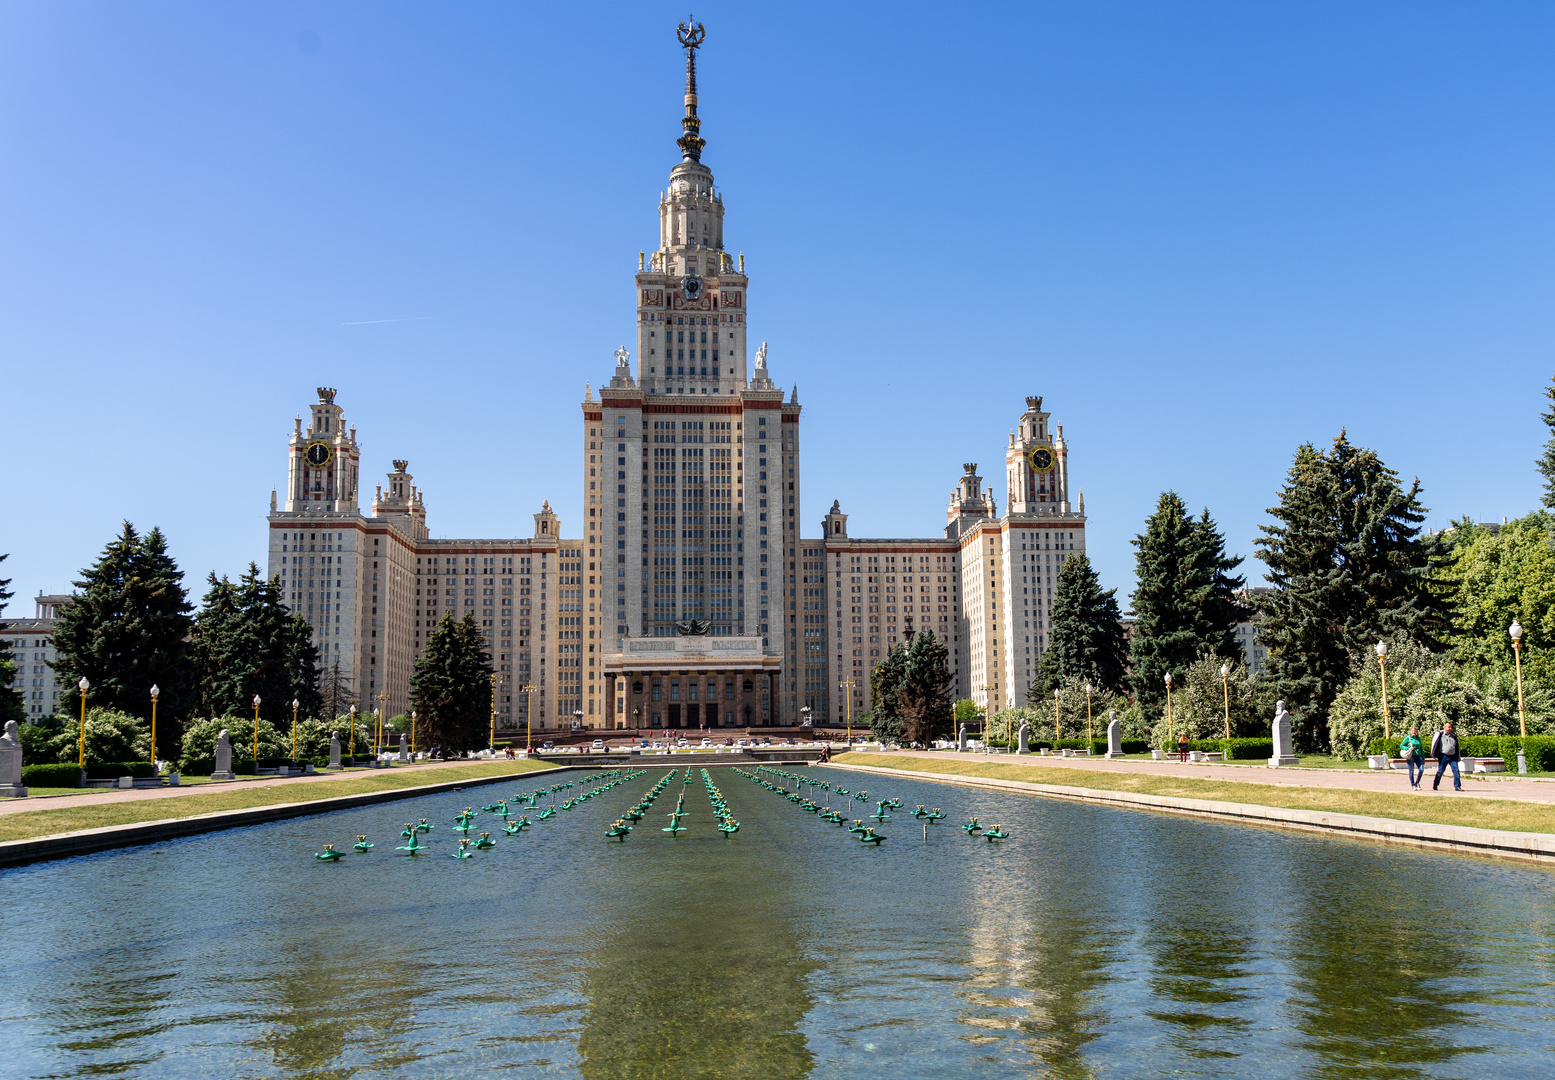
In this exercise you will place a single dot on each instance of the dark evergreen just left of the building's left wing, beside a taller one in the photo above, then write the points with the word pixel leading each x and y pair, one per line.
pixel 248 644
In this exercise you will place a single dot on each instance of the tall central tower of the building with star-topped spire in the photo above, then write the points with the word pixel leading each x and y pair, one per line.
pixel 691 487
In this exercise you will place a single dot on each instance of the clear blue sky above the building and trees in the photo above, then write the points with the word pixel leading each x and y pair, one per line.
pixel 1204 232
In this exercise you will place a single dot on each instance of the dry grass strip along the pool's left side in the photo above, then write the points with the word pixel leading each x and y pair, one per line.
pixel 71 820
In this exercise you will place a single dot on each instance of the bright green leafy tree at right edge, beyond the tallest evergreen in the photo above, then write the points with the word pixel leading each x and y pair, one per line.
pixel 1498 577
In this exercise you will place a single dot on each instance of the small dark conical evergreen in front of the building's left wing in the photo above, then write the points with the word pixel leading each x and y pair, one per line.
pixel 452 688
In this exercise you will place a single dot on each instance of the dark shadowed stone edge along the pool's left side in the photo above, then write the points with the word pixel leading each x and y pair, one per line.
pixel 91 841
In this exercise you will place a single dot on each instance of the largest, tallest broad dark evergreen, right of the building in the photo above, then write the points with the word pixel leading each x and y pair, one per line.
pixel 1349 566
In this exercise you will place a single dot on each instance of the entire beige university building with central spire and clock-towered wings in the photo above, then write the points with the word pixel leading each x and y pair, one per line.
pixel 691 596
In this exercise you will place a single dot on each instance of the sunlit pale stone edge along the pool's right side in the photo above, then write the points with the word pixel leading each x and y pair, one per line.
pixel 1531 848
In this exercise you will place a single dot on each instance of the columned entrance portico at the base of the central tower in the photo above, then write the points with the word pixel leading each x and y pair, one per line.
pixel 691 683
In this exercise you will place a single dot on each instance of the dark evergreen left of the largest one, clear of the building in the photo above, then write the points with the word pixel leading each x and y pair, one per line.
pixel 1186 601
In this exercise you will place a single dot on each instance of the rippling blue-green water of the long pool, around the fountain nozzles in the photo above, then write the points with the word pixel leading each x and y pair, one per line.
pixel 1095 942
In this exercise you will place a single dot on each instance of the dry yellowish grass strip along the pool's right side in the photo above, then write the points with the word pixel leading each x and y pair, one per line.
pixel 1438 810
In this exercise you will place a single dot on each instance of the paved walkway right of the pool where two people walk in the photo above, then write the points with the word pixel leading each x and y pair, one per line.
pixel 1495 786
